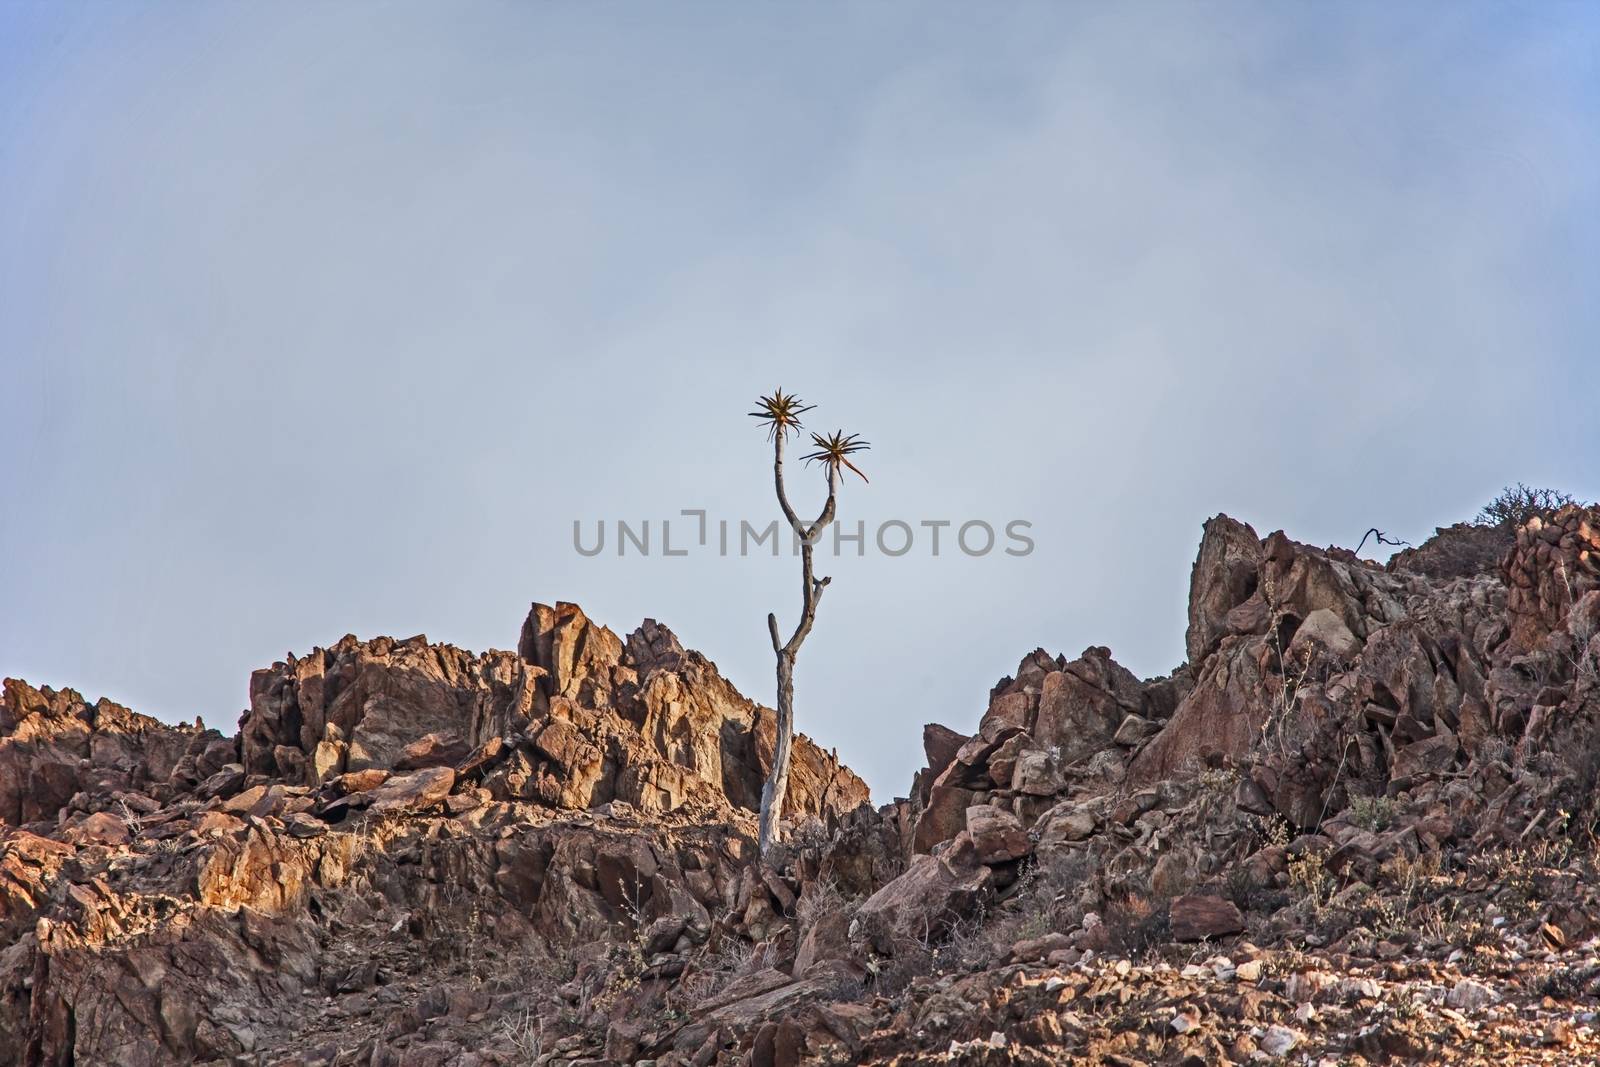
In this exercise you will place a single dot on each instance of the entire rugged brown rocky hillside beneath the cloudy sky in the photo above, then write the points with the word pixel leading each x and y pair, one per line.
pixel 1356 826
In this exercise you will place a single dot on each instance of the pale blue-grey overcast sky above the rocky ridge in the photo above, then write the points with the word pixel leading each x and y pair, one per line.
pixel 322 319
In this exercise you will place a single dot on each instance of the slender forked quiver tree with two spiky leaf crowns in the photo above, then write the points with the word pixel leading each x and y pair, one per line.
pixel 782 415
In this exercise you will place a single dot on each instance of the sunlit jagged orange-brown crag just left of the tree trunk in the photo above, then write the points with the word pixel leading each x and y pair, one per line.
pixel 646 722
